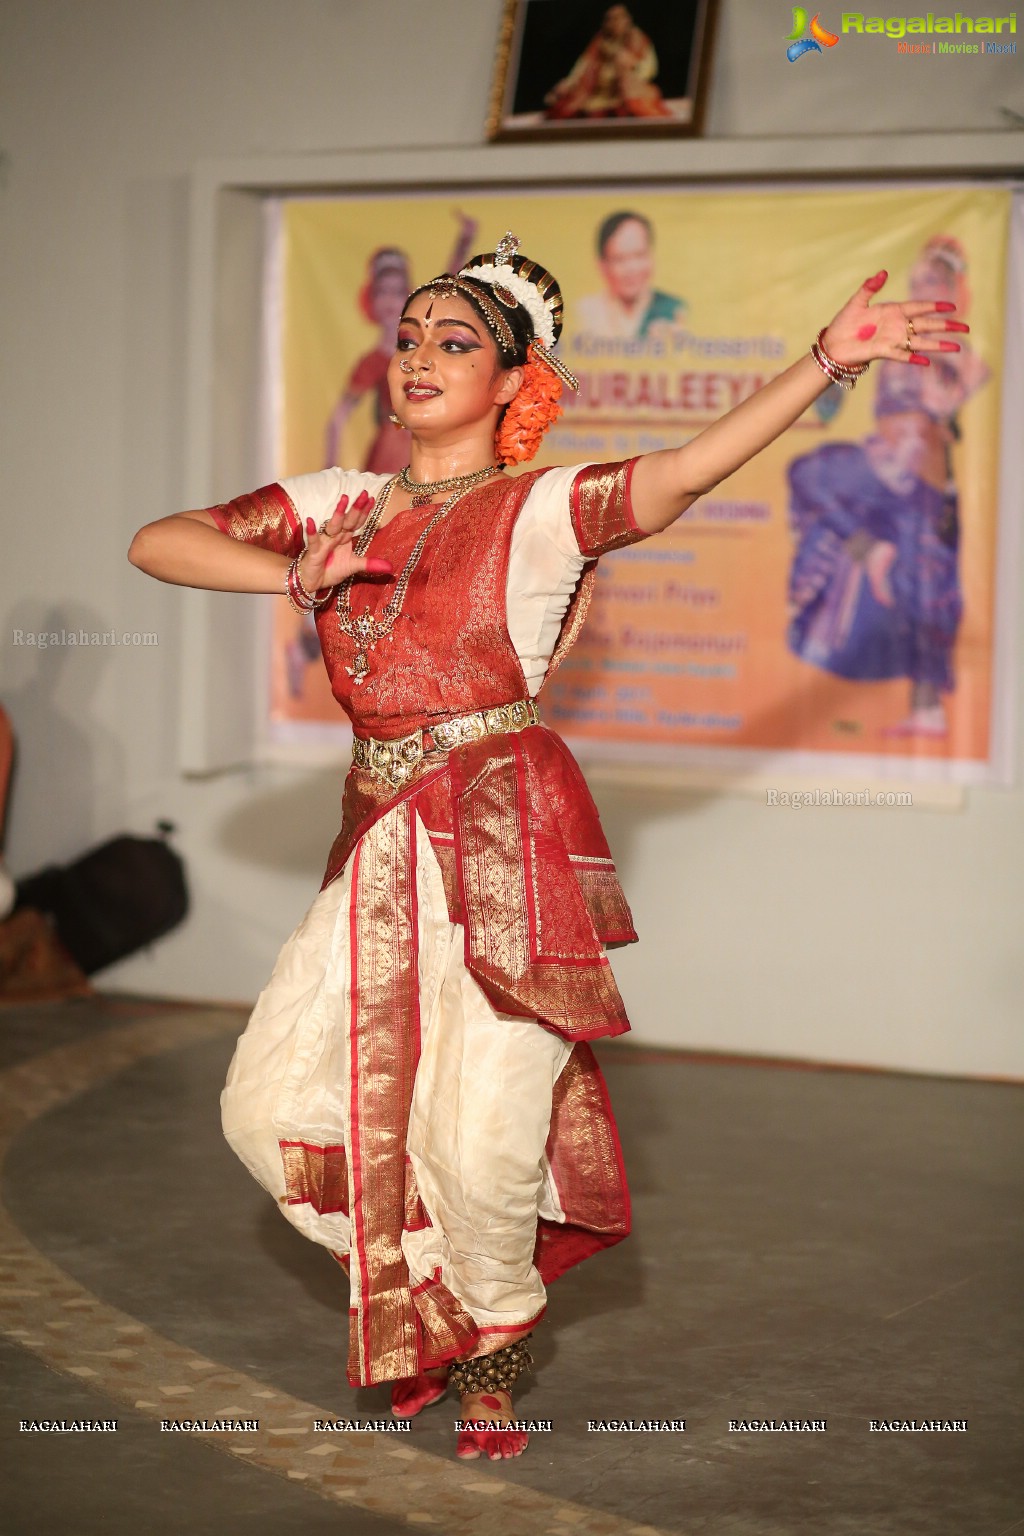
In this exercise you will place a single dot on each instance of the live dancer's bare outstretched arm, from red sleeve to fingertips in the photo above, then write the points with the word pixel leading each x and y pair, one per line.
pixel 672 480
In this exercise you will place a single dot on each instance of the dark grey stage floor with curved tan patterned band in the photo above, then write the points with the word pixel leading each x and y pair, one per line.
pixel 808 1246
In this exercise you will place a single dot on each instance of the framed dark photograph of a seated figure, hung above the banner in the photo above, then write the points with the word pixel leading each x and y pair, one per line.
pixel 586 68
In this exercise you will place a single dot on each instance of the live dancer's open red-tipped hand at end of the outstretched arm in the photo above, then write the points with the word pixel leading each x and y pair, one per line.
pixel 865 333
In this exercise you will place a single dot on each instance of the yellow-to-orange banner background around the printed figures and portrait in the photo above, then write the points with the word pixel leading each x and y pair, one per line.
pixel 687 640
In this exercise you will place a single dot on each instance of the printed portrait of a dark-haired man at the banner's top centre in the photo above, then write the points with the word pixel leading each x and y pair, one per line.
pixel 630 308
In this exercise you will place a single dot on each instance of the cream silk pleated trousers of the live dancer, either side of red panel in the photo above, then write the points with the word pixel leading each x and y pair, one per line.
pixel 481 1104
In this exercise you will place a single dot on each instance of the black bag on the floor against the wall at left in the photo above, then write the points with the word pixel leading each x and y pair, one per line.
pixel 113 901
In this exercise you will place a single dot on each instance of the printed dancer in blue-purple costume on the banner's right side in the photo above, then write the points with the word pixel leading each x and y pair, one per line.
pixel 874 586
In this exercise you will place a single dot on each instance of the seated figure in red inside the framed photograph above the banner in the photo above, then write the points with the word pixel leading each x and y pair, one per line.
pixel 613 78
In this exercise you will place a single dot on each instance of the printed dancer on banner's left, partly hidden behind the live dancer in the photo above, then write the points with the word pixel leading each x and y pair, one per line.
pixel 382 300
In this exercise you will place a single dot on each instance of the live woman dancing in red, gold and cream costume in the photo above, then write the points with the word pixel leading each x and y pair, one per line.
pixel 415 1085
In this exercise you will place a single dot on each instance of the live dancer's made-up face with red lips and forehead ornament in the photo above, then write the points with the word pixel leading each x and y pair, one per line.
pixel 461 377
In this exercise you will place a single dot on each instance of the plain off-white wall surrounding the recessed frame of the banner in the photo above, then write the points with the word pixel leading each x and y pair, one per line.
pixel 879 938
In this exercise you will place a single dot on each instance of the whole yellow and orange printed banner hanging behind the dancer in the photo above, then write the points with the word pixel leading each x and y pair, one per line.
pixel 836 598
